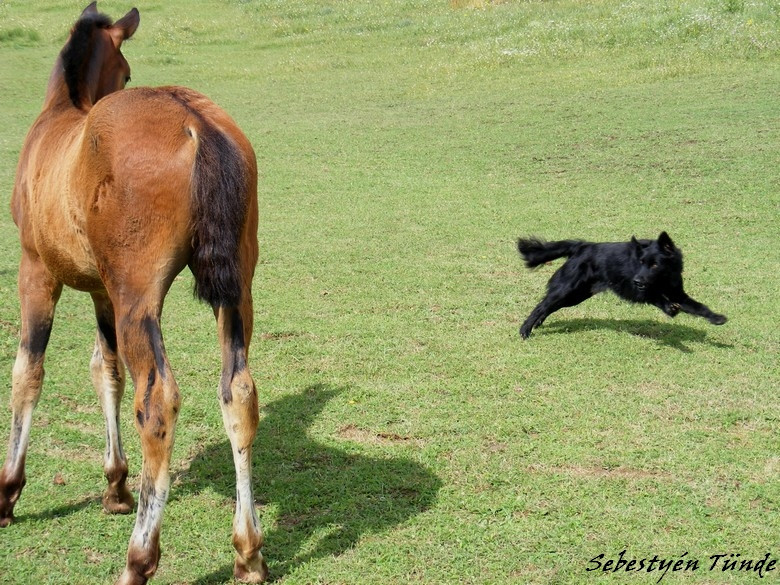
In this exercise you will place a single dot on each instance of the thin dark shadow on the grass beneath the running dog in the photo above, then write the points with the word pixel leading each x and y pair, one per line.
pixel 674 335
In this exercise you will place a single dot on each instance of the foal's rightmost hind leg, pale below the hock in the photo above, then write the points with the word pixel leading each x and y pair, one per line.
pixel 238 399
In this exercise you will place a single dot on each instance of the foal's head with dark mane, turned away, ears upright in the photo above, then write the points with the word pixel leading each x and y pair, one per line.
pixel 91 64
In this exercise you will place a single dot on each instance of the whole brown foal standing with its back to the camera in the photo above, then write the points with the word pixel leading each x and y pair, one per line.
pixel 116 192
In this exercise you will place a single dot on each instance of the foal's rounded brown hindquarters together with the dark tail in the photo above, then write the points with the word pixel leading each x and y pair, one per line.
pixel 167 177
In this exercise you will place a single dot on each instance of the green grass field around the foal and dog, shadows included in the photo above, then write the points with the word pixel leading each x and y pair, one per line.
pixel 407 434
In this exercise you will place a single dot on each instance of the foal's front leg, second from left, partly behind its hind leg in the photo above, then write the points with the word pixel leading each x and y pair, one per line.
pixel 108 376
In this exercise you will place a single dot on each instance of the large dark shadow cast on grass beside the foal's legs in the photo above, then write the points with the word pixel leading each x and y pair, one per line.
pixel 326 497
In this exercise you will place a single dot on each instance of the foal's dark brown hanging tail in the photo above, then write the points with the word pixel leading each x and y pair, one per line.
pixel 220 203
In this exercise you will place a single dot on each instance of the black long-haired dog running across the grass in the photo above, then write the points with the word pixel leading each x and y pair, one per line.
pixel 641 271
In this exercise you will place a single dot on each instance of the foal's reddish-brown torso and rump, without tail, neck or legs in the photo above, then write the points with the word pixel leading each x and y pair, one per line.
pixel 122 183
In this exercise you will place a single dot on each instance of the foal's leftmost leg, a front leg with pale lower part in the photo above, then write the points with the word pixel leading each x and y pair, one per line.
pixel 39 293
